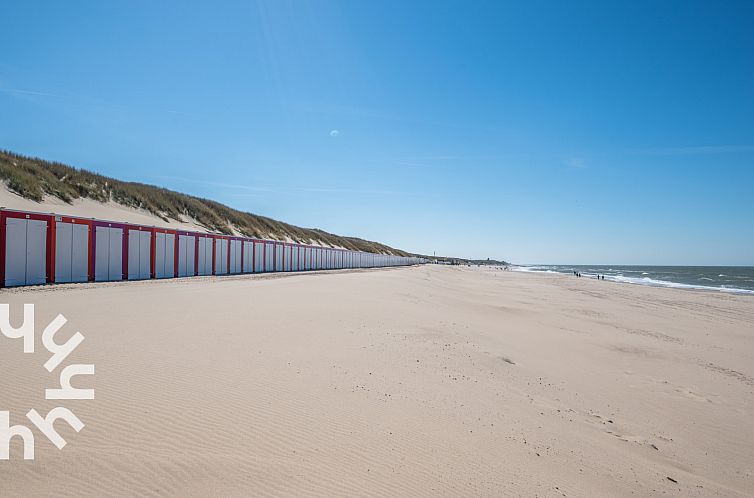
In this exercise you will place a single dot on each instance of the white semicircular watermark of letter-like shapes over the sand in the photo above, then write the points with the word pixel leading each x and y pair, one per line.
pixel 59 352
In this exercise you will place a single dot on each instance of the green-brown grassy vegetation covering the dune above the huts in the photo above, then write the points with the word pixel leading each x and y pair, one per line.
pixel 36 178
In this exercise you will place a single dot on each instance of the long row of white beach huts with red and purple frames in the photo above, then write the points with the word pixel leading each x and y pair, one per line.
pixel 39 248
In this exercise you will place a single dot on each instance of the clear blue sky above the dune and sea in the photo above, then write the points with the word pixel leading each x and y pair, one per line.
pixel 535 132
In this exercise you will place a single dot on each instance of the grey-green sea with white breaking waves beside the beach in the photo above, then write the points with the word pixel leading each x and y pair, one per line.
pixel 732 279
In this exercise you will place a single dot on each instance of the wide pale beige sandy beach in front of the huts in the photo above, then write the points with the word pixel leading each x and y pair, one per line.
pixel 414 381
